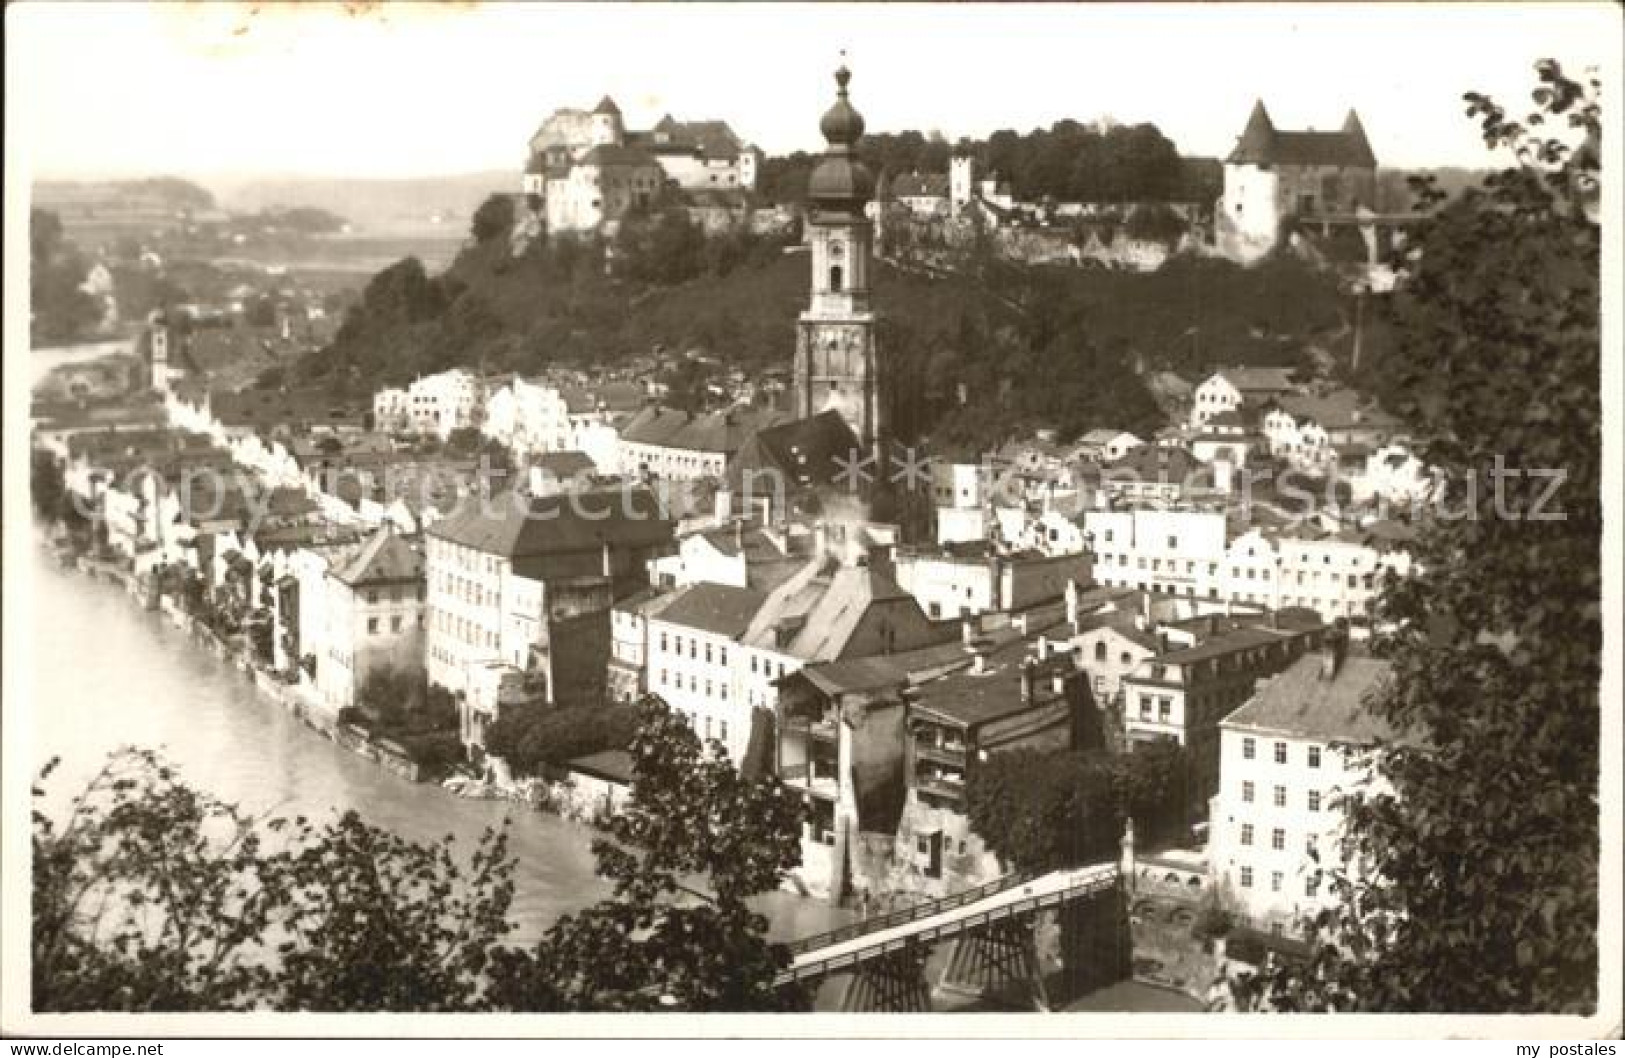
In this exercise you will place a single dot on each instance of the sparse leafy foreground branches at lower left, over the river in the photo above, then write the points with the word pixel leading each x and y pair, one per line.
pixel 157 898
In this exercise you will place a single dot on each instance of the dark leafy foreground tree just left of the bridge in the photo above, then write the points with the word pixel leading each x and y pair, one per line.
pixel 662 942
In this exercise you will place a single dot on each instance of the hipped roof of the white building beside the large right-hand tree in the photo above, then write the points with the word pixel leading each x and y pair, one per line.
pixel 1301 701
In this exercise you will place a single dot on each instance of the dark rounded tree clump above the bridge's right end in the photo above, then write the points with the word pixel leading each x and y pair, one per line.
pixel 1041 812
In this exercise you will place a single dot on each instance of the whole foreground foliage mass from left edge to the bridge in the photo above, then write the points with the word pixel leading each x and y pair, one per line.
pixel 152 896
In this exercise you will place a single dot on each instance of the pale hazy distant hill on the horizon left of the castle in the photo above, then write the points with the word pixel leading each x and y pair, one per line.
pixel 378 206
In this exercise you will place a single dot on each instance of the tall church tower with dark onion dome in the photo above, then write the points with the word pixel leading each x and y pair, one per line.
pixel 836 360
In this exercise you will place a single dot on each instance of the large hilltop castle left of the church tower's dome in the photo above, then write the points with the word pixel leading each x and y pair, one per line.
pixel 587 168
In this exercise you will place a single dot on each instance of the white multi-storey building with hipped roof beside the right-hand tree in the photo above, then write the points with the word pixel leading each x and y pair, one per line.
pixel 1285 760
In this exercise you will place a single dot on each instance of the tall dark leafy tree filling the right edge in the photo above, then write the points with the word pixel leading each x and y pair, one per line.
pixel 1480 883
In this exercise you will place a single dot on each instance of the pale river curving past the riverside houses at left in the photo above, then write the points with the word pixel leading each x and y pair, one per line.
pixel 106 674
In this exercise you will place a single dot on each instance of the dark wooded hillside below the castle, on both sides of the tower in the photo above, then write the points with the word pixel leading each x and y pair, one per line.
pixel 976 355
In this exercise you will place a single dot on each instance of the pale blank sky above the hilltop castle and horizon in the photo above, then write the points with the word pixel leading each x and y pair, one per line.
pixel 405 90
